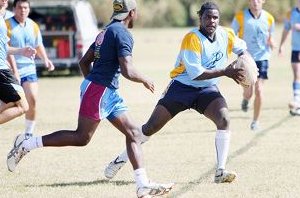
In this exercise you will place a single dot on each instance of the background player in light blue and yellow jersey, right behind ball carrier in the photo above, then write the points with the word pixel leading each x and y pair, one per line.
pixel 256 27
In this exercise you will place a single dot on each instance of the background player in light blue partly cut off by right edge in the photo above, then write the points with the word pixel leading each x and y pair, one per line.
pixel 292 23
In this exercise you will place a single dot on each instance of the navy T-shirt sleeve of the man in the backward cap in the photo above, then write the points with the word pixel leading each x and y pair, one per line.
pixel 124 44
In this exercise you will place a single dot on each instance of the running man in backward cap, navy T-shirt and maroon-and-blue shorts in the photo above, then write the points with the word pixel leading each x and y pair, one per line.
pixel 112 55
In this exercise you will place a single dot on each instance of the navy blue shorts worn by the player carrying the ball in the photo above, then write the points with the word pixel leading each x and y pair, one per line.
pixel 179 97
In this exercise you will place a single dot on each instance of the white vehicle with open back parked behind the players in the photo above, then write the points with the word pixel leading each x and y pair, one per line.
pixel 68 28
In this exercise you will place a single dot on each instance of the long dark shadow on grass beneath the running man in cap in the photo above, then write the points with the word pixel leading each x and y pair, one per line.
pixel 85 183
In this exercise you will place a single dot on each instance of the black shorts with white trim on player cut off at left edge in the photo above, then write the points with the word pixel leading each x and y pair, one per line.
pixel 9 87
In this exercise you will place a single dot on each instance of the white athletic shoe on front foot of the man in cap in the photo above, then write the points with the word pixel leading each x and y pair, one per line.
pixel 153 190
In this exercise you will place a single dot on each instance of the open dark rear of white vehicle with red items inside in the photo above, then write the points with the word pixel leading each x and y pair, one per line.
pixel 58 30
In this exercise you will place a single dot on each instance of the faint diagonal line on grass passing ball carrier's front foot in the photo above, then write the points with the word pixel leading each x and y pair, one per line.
pixel 192 184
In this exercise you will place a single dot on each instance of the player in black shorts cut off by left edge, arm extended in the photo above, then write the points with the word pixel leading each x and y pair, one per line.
pixel 12 98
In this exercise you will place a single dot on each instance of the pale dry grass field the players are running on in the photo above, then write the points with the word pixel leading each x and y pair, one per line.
pixel 267 162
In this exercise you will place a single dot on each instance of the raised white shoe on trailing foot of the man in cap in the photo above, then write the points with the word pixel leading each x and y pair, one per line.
pixel 16 153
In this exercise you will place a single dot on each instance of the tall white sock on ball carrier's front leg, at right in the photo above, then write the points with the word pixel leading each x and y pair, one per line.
pixel 222 141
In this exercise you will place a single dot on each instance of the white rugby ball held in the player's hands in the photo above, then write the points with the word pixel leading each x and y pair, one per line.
pixel 250 70
